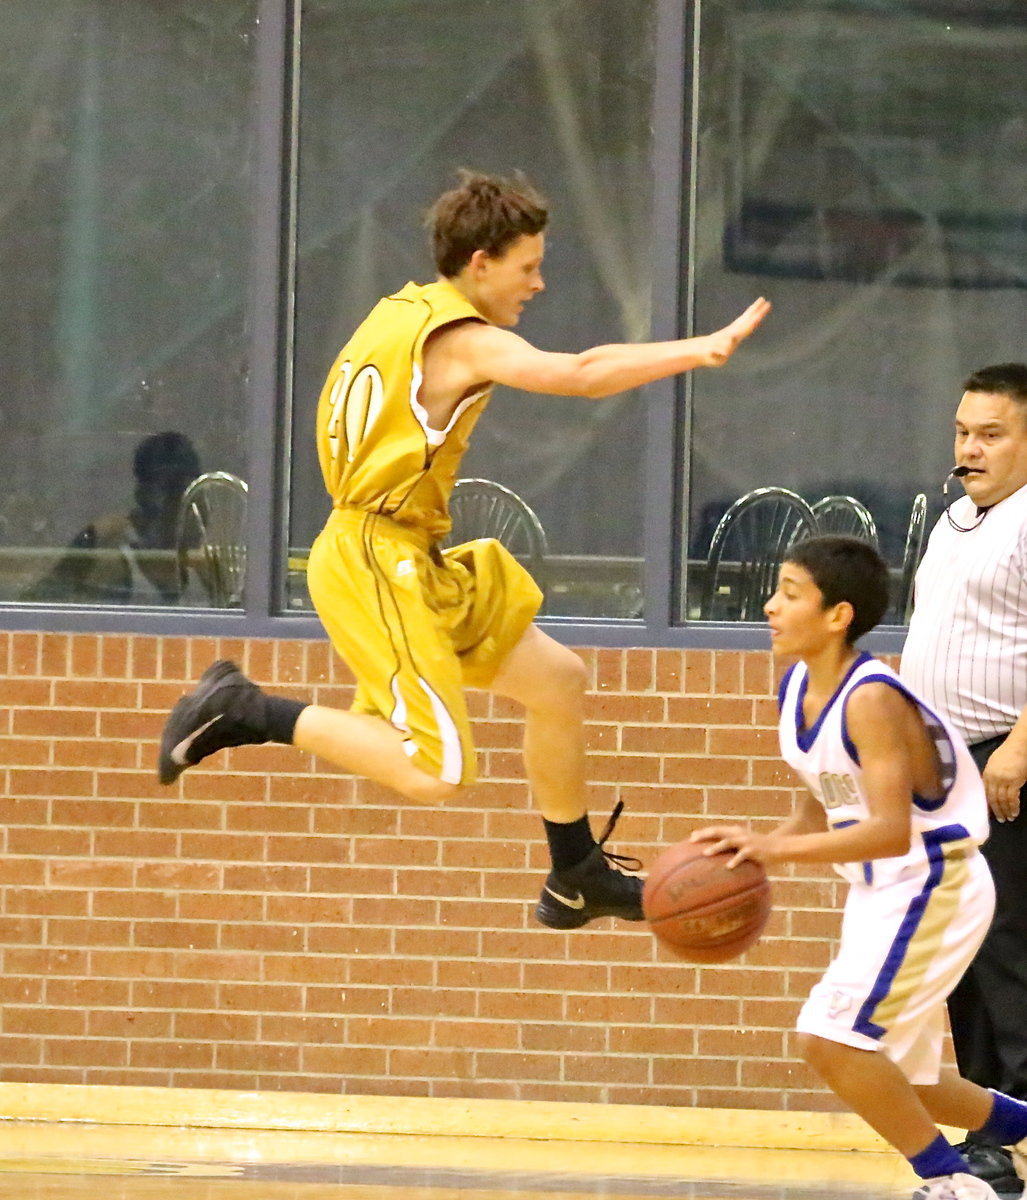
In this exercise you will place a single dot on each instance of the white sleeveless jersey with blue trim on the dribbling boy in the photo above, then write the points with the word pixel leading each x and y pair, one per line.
pixel 828 763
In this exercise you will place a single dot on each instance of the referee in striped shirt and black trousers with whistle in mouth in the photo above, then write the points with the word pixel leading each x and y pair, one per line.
pixel 966 655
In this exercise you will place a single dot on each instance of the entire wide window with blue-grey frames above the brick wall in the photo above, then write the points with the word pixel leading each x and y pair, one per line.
pixel 178 286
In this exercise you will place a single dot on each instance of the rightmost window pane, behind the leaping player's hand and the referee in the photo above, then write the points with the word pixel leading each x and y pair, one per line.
pixel 864 167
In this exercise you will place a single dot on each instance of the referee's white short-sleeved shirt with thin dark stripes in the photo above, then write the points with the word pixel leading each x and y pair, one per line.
pixel 966 651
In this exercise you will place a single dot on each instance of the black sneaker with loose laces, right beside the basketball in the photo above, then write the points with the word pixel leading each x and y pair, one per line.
pixel 596 887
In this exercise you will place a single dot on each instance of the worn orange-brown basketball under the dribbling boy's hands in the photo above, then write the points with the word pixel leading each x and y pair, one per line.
pixel 700 909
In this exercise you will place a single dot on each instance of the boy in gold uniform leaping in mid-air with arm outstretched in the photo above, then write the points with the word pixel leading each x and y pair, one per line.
pixel 417 625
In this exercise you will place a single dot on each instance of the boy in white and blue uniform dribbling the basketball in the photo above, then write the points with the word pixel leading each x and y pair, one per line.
pixel 897 806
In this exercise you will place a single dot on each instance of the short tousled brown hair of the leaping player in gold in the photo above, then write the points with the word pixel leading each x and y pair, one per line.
pixel 487 213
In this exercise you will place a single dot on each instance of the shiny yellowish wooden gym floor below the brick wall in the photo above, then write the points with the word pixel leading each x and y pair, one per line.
pixel 62 1160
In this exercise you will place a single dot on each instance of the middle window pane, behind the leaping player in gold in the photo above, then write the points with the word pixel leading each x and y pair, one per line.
pixel 563 91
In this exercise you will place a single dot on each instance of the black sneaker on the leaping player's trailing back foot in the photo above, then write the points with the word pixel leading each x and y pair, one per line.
pixel 223 711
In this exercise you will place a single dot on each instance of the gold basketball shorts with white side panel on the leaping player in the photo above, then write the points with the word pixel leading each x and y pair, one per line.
pixel 418 626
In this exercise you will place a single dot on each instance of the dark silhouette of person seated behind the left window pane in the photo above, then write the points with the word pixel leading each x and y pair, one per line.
pixel 121 571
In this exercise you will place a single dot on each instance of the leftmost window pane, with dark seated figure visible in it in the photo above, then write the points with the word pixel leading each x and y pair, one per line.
pixel 127 227
